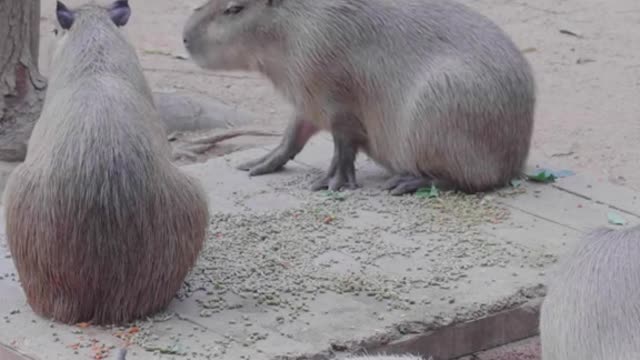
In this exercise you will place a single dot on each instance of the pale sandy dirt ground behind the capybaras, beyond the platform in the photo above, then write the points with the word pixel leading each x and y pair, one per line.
pixel 585 54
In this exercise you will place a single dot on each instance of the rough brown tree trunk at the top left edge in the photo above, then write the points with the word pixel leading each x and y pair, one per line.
pixel 22 88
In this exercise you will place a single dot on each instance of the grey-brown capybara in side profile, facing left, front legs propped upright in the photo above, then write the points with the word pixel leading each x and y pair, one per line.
pixel 430 89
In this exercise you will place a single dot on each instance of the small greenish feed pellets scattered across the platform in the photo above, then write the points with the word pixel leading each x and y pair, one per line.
pixel 342 243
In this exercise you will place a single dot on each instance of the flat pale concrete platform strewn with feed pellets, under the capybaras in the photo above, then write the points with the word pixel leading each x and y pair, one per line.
pixel 291 274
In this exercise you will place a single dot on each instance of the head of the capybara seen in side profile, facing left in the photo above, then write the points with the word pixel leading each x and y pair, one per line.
pixel 228 34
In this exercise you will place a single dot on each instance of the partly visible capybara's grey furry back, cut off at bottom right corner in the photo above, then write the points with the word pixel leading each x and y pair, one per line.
pixel 592 310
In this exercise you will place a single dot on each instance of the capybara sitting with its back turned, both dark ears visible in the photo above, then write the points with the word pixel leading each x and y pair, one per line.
pixel 102 227
